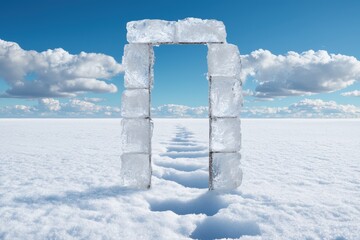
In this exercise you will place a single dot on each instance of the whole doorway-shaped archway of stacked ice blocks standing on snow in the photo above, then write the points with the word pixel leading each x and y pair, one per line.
pixel 225 98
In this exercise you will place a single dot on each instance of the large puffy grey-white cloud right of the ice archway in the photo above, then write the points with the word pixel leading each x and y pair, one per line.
pixel 306 73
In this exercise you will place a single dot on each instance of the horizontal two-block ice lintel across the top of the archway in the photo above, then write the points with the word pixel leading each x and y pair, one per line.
pixel 186 31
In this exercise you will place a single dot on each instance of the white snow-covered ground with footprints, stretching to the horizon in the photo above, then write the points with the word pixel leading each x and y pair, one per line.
pixel 59 179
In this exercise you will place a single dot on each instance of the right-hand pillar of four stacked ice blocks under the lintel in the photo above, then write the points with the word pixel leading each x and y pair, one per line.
pixel 225 101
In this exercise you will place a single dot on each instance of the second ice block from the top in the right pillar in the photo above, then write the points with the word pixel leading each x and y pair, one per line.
pixel 225 97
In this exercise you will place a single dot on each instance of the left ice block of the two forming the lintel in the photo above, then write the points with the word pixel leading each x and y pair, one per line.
pixel 150 31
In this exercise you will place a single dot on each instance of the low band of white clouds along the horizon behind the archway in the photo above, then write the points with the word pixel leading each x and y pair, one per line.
pixel 307 108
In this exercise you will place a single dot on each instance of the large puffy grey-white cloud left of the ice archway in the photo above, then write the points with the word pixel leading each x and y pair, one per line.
pixel 54 73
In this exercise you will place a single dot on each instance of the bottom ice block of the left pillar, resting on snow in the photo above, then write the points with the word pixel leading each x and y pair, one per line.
pixel 135 170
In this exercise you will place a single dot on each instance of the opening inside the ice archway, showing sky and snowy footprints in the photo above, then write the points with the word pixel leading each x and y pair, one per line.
pixel 179 103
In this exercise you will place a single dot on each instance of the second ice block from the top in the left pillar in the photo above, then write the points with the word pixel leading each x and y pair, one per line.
pixel 135 103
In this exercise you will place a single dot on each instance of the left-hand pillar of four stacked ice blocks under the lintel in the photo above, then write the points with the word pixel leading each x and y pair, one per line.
pixel 136 125
